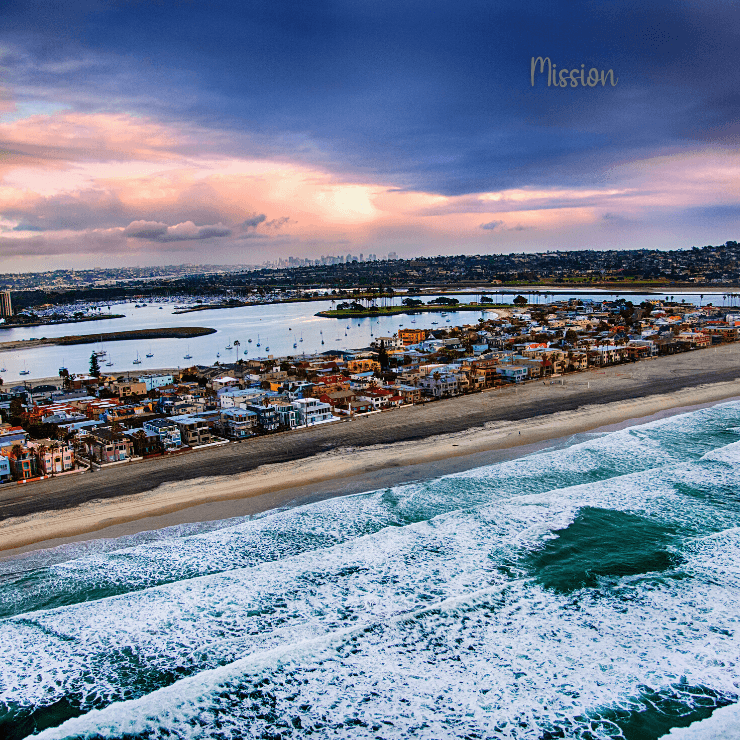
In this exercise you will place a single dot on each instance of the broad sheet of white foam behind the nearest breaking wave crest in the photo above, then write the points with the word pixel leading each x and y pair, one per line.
pixel 508 662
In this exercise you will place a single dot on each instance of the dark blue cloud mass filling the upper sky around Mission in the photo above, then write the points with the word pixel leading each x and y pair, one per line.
pixel 432 95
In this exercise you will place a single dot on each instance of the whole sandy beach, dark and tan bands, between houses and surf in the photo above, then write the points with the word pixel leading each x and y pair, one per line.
pixel 372 452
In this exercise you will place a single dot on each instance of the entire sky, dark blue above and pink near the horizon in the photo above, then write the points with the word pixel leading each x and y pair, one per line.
pixel 168 132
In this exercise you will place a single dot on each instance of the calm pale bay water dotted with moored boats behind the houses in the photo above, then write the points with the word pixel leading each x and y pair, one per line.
pixel 252 325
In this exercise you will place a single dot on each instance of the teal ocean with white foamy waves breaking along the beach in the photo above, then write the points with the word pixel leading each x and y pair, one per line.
pixel 586 591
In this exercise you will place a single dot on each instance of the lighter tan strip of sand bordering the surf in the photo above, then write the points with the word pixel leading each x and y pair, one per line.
pixel 339 471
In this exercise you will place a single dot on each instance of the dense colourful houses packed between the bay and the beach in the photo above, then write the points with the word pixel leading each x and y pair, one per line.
pixel 87 422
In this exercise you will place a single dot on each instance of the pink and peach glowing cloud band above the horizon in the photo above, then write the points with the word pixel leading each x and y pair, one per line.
pixel 121 185
